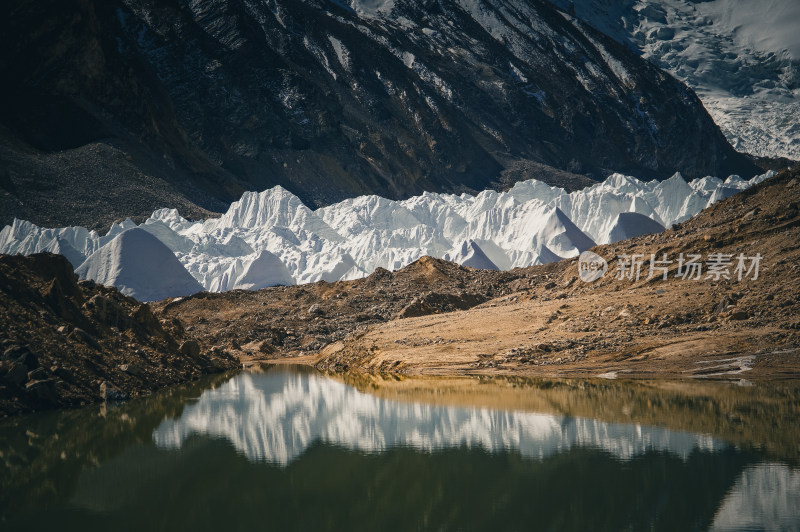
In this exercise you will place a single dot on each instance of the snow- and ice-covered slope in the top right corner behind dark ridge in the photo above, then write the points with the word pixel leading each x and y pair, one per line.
pixel 742 57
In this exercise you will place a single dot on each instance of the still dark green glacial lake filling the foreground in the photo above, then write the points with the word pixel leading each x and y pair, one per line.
pixel 287 448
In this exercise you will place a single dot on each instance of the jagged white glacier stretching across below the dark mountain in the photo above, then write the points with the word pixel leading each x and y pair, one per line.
pixel 271 238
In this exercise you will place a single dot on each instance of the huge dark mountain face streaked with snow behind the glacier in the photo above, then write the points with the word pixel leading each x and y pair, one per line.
pixel 333 100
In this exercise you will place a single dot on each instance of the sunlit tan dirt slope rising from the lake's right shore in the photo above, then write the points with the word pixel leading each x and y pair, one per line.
pixel 621 327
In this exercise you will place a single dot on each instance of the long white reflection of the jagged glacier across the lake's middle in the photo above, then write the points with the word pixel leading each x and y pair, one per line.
pixel 277 416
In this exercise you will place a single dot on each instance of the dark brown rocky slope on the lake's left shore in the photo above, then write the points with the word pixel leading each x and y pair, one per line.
pixel 67 343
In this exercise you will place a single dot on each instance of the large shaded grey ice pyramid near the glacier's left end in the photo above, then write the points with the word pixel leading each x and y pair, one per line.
pixel 139 265
